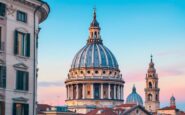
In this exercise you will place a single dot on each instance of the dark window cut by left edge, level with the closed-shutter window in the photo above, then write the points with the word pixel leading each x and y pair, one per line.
pixel 2 76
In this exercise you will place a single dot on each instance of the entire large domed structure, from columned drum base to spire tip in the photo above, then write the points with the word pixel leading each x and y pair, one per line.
pixel 94 79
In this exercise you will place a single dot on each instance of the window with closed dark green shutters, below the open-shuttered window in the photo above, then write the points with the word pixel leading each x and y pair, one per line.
pixel 22 81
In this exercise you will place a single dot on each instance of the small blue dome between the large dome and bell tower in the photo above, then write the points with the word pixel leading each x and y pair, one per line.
pixel 134 98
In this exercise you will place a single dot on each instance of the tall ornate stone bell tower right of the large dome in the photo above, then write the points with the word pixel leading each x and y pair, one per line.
pixel 152 102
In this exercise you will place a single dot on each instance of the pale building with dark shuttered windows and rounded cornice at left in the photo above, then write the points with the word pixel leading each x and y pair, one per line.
pixel 19 29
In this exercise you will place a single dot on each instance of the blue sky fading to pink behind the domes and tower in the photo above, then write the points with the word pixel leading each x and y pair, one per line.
pixel 131 29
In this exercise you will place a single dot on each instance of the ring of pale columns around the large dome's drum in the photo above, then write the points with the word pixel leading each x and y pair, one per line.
pixel 95 91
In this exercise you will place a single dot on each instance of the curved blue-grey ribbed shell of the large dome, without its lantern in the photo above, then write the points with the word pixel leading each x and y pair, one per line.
pixel 94 55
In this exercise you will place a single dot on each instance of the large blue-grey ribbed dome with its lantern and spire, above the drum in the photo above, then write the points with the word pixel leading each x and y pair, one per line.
pixel 94 54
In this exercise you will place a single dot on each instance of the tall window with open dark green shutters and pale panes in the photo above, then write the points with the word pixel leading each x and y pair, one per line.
pixel 22 44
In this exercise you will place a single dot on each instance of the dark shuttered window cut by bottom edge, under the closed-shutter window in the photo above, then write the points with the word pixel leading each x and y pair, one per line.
pixel 20 109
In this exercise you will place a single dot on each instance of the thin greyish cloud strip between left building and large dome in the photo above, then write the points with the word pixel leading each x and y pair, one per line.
pixel 51 84
